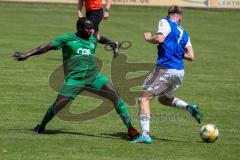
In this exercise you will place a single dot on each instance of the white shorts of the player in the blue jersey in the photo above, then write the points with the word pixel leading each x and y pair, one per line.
pixel 163 81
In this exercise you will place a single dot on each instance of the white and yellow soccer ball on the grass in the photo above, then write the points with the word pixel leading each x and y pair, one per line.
pixel 209 133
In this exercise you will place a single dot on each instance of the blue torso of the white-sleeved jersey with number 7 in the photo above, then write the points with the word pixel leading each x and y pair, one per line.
pixel 171 51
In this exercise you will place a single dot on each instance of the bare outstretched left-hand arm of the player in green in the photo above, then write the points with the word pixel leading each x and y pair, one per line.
pixel 19 56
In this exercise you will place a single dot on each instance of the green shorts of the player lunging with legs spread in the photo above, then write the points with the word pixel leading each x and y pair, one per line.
pixel 73 86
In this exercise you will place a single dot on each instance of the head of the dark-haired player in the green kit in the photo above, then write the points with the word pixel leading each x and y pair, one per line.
pixel 84 27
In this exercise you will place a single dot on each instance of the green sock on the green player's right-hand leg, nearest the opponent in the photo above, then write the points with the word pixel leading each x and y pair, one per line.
pixel 122 110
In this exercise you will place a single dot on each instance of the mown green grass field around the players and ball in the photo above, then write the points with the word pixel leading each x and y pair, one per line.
pixel 211 81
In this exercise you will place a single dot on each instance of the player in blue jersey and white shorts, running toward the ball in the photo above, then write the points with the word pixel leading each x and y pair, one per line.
pixel 173 47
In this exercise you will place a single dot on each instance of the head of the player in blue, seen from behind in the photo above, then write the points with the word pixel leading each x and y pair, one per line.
pixel 175 12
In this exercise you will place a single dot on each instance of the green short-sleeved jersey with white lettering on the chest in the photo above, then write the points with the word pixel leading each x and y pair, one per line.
pixel 78 55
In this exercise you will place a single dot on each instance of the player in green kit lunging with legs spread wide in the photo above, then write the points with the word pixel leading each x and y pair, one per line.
pixel 80 73
